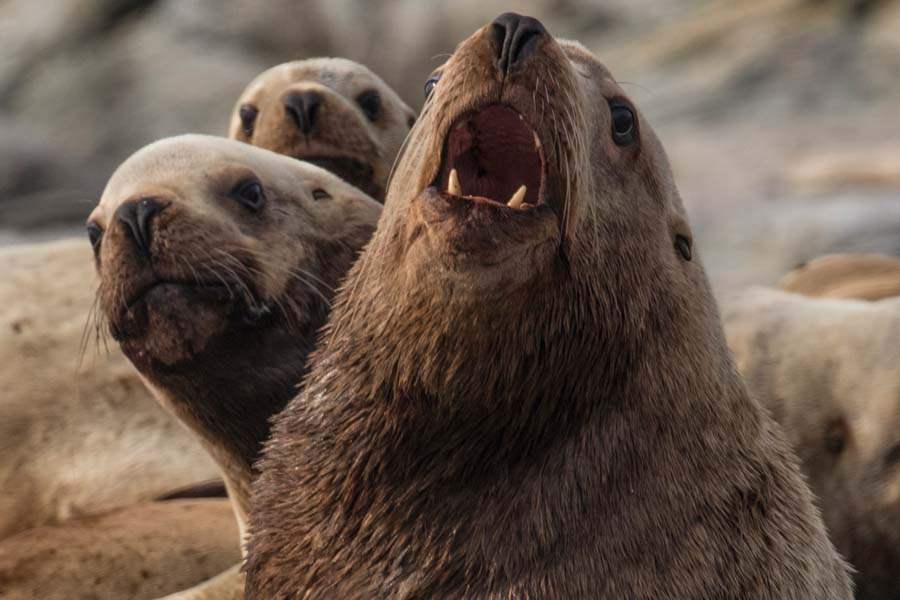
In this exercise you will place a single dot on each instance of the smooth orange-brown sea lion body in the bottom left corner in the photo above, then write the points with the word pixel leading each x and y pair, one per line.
pixel 141 551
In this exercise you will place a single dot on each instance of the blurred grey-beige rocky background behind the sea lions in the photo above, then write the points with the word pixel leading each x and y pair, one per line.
pixel 781 117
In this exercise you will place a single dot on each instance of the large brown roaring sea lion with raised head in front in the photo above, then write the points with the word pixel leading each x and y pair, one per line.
pixel 524 389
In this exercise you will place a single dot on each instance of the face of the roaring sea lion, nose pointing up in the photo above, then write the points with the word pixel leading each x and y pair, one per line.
pixel 528 155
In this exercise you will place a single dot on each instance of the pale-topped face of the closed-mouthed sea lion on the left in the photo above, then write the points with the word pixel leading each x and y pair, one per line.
pixel 204 245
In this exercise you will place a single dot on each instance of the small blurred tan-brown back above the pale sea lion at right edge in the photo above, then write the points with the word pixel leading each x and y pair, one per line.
pixel 864 276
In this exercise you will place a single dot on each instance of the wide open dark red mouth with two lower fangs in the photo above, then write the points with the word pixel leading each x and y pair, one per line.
pixel 493 155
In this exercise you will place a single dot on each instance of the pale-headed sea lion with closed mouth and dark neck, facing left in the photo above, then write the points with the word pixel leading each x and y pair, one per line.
pixel 217 263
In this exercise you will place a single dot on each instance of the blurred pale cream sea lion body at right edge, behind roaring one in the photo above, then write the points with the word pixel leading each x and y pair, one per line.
pixel 828 371
